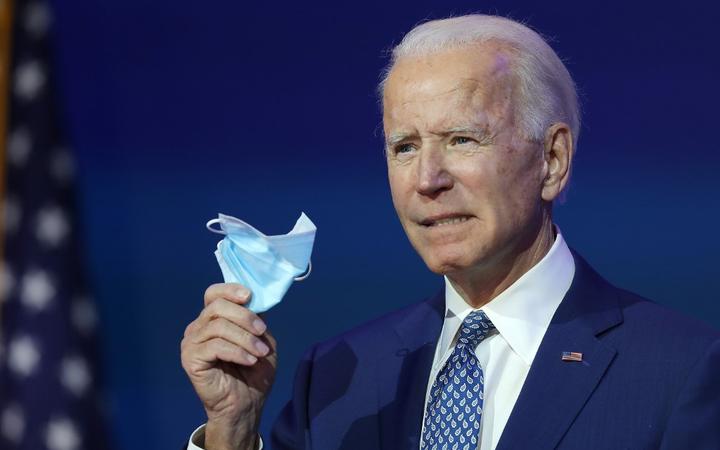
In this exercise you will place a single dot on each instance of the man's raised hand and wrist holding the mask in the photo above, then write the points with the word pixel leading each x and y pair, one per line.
pixel 230 359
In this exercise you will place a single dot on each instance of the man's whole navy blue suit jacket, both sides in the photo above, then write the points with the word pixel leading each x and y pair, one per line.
pixel 649 379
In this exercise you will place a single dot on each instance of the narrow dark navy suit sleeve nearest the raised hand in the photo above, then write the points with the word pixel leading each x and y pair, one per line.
pixel 292 427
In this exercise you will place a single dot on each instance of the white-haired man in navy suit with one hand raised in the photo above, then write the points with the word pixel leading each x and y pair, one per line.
pixel 527 347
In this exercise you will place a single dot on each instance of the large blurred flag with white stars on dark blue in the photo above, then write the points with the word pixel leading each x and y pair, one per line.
pixel 48 357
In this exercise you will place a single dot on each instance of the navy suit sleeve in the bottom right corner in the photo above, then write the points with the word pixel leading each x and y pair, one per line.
pixel 695 420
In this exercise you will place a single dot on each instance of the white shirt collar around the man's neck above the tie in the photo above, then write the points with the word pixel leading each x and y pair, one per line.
pixel 522 312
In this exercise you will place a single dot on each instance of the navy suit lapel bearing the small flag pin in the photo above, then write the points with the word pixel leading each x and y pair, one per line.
pixel 556 390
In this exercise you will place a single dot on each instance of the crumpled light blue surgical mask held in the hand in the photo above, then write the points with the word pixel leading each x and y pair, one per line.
pixel 266 265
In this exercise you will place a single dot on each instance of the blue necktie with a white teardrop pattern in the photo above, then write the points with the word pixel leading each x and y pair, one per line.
pixel 452 419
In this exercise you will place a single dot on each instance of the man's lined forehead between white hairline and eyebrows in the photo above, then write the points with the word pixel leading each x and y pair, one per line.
pixel 477 77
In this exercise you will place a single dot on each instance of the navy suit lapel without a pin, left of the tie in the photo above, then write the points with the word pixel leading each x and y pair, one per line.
pixel 403 375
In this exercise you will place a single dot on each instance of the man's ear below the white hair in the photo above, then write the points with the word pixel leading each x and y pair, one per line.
pixel 558 156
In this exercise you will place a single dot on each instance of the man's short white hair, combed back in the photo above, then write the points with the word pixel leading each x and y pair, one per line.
pixel 547 92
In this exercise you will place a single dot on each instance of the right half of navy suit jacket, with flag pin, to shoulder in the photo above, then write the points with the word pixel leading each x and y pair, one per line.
pixel 645 380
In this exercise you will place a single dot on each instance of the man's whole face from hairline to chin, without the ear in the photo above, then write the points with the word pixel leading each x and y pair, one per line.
pixel 465 183
